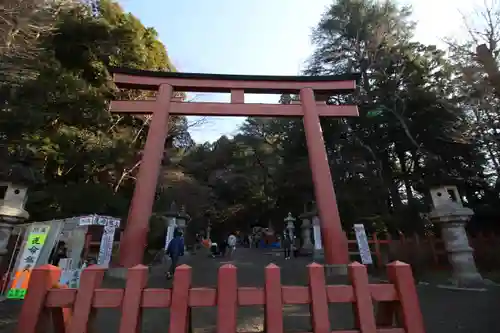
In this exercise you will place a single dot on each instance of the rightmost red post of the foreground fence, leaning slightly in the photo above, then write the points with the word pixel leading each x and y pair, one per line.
pixel 401 276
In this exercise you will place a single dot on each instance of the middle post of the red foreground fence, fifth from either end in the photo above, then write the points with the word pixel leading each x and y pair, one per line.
pixel 227 299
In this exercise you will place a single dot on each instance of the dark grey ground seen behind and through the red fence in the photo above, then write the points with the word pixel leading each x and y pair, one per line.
pixel 445 311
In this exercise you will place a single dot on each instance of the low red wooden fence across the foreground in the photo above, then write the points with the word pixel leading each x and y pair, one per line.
pixel 72 310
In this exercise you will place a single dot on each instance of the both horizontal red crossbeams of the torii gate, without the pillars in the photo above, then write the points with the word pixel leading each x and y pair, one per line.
pixel 237 85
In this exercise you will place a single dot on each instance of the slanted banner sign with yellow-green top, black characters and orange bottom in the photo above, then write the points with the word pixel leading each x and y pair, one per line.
pixel 29 257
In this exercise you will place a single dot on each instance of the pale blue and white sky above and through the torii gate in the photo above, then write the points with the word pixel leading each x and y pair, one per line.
pixel 267 37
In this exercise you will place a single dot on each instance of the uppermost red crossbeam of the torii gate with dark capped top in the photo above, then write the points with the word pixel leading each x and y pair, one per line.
pixel 224 83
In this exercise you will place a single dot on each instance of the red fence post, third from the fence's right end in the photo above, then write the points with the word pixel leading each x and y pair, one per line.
pixel 319 300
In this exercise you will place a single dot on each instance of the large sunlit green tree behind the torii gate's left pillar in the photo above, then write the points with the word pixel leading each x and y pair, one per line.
pixel 58 122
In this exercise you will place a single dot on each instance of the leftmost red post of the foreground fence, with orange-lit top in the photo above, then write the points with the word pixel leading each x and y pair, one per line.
pixel 34 317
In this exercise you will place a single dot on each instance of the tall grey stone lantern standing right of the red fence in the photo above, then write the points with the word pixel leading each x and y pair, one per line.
pixel 450 214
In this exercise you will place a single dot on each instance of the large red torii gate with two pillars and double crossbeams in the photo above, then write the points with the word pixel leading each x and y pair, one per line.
pixel 166 83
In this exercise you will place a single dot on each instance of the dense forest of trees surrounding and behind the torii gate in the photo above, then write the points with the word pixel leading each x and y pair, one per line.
pixel 428 117
